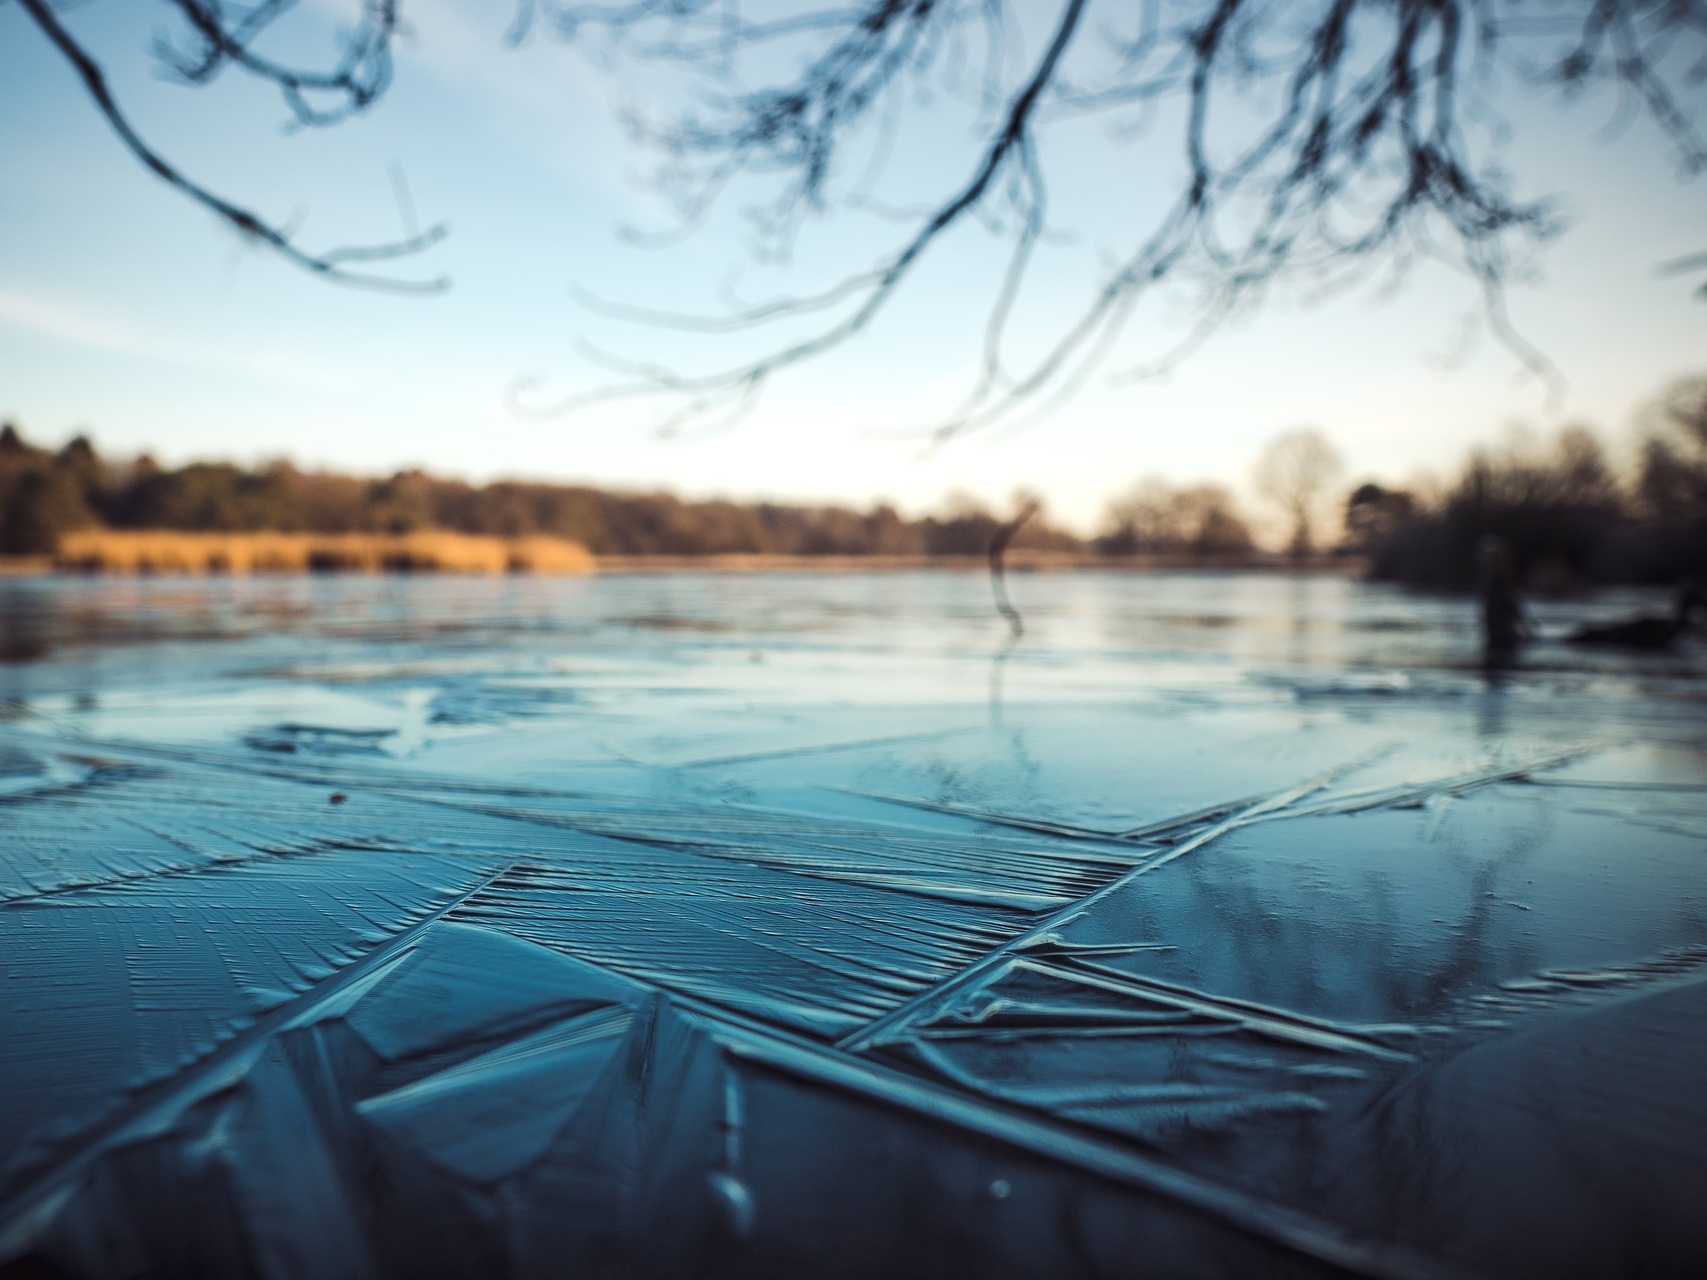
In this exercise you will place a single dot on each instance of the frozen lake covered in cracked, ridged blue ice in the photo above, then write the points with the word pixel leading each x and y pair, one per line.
pixel 812 924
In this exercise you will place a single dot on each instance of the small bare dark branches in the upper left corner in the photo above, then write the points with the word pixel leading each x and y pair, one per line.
pixel 359 79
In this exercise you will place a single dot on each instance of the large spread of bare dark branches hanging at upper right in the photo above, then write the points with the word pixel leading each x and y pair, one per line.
pixel 1319 141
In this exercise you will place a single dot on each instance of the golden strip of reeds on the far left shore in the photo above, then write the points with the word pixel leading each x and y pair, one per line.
pixel 428 552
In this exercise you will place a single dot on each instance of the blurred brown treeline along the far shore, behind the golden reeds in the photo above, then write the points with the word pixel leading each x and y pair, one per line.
pixel 1570 516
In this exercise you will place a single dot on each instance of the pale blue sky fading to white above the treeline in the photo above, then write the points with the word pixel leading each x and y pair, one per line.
pixel 129 313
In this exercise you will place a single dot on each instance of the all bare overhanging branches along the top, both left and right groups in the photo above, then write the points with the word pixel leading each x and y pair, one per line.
pixel 1324 141
